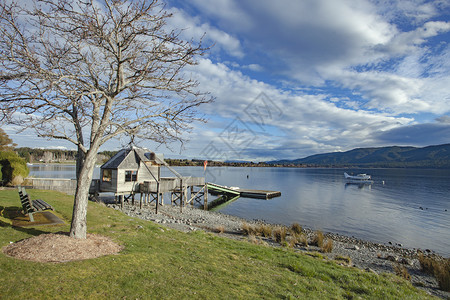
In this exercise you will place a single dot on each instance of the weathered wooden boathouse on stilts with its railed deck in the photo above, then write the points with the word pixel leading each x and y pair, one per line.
pixel 138 171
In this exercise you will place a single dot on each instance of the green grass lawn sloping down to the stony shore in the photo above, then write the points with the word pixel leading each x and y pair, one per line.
pixel 167 264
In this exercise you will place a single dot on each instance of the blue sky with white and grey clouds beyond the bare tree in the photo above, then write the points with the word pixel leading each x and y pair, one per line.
pixel 295 78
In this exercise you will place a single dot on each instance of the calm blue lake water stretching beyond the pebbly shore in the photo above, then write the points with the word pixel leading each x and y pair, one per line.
pixel 411 208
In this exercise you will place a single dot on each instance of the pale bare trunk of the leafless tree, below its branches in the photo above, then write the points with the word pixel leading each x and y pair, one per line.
pixel 78 226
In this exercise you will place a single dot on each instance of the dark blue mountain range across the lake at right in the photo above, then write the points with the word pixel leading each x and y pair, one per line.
pixel 426 157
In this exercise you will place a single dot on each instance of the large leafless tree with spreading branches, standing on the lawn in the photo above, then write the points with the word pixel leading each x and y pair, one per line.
pixel 89 71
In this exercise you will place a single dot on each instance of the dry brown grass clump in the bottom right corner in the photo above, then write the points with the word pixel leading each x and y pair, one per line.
pixel 438 267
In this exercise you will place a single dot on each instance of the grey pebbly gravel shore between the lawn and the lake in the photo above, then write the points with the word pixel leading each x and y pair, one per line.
pixel 372 257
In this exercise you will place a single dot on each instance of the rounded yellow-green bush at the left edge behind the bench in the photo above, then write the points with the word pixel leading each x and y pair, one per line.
pixel 14 168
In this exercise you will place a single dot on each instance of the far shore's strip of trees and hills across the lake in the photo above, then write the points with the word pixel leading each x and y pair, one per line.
pixel 382 157
